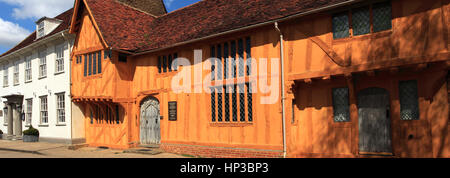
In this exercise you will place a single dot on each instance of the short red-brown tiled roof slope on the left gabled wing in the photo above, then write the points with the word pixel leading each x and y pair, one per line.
pixel 122 27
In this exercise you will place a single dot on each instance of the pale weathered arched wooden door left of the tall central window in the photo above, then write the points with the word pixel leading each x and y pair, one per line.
pixel 150 132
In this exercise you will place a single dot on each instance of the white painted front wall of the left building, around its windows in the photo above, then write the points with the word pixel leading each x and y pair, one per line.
pixel 52 84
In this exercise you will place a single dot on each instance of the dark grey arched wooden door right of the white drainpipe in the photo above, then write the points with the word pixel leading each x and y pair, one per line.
pixel 374 121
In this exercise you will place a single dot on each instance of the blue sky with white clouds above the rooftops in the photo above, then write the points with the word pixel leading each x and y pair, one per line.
pixel 17 17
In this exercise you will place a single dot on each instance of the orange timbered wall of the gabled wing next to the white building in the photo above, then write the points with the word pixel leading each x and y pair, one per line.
pixel 111 86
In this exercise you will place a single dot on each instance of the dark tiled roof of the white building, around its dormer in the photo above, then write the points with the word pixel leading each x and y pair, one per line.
pixel 65 17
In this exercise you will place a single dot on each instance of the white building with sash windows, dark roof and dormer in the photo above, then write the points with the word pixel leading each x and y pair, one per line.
pixel 35 84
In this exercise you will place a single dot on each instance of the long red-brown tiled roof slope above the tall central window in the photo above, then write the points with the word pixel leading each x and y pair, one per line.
pixel 210 17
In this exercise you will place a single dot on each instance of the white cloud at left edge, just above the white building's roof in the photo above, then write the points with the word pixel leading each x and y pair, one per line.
pixel 11 33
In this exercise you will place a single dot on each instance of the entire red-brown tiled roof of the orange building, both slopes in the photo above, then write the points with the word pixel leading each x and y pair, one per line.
pixel 128 29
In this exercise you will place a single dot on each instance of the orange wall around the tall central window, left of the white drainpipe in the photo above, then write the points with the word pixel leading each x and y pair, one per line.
pixel 194 125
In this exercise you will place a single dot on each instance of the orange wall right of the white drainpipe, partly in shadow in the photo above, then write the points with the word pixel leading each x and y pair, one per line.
pixel 419 34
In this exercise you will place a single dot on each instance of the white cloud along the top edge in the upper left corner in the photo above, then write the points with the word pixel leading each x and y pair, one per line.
pixel 36 9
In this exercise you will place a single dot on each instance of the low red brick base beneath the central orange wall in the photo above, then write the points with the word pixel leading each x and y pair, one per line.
pixel 219 152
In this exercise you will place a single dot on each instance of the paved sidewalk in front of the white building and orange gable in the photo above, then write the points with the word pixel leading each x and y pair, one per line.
pixel 19 149
